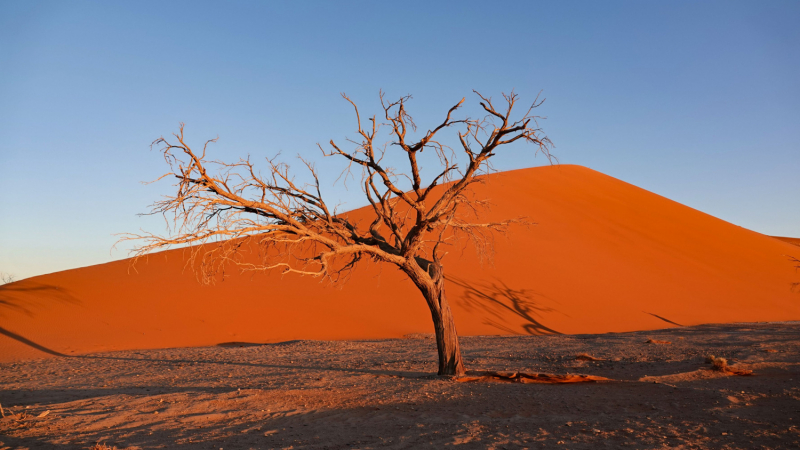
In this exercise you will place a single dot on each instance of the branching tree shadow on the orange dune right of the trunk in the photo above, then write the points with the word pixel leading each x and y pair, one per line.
pixel 496 300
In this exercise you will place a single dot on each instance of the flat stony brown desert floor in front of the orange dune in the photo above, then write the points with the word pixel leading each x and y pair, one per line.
pixel 382 394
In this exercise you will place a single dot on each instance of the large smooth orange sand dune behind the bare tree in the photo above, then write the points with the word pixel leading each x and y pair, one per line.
pixel 605 256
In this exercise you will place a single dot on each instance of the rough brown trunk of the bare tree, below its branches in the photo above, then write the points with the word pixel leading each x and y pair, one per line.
pixel 450 362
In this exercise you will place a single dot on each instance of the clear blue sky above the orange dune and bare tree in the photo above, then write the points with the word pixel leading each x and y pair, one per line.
pixel 697 101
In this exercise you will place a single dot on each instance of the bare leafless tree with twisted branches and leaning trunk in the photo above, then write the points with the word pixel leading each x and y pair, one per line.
pixel 297 232
